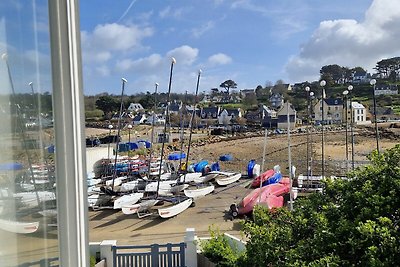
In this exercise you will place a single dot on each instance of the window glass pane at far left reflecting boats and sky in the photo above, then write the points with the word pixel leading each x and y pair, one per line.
pixel 27 183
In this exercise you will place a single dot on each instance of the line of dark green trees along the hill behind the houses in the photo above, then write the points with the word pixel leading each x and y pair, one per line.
pixel 337 77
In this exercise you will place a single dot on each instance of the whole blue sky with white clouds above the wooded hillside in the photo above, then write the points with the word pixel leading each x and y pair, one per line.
pixel 253 42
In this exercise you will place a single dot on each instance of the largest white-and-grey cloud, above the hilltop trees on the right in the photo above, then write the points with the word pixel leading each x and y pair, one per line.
pixel 350 43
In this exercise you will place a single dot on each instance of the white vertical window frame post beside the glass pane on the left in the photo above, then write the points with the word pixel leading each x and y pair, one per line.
pixel 69 128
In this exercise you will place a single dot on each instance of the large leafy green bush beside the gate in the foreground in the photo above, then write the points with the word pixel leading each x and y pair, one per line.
pixel 354 222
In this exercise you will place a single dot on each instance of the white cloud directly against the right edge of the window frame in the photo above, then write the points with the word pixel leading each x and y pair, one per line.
pixel 105 39
